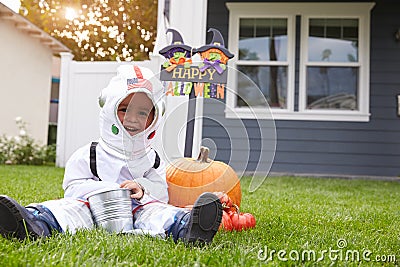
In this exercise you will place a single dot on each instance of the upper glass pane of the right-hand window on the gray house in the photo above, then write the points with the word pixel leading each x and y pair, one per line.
pixel 334 40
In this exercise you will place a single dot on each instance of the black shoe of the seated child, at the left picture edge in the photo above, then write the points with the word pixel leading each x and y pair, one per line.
pixel 17 221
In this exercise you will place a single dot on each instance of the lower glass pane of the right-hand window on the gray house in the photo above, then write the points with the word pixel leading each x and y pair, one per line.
pixel 332 88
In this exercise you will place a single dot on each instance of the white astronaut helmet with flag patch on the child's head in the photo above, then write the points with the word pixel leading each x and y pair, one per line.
pixel 114 137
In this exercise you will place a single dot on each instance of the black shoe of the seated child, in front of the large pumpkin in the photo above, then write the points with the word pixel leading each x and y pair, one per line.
pixel 202 223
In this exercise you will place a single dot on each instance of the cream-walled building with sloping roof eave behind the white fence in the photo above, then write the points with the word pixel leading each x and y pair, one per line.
pixel 26 54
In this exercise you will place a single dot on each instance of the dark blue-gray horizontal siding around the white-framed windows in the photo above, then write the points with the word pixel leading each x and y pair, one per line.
pixel 342 148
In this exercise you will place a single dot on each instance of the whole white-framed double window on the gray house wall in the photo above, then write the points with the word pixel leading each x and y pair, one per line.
pixel 332 60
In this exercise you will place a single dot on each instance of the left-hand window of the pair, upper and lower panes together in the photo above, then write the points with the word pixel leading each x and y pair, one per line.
pixel 263 57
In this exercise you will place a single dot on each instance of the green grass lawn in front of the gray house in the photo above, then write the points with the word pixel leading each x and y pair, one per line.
pixel 296 216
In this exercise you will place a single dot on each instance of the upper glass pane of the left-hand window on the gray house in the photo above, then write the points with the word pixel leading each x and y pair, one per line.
pixel 263 39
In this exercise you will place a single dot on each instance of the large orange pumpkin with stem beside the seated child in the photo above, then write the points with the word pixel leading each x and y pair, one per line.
pixel 187 178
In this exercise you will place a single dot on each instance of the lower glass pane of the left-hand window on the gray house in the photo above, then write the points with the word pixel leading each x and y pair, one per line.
pixel 258 83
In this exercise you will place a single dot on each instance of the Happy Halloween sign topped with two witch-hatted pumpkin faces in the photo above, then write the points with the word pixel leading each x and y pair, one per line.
pixel 206 79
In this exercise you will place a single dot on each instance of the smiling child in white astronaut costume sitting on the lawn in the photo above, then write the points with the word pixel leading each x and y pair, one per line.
pixel 130 115
